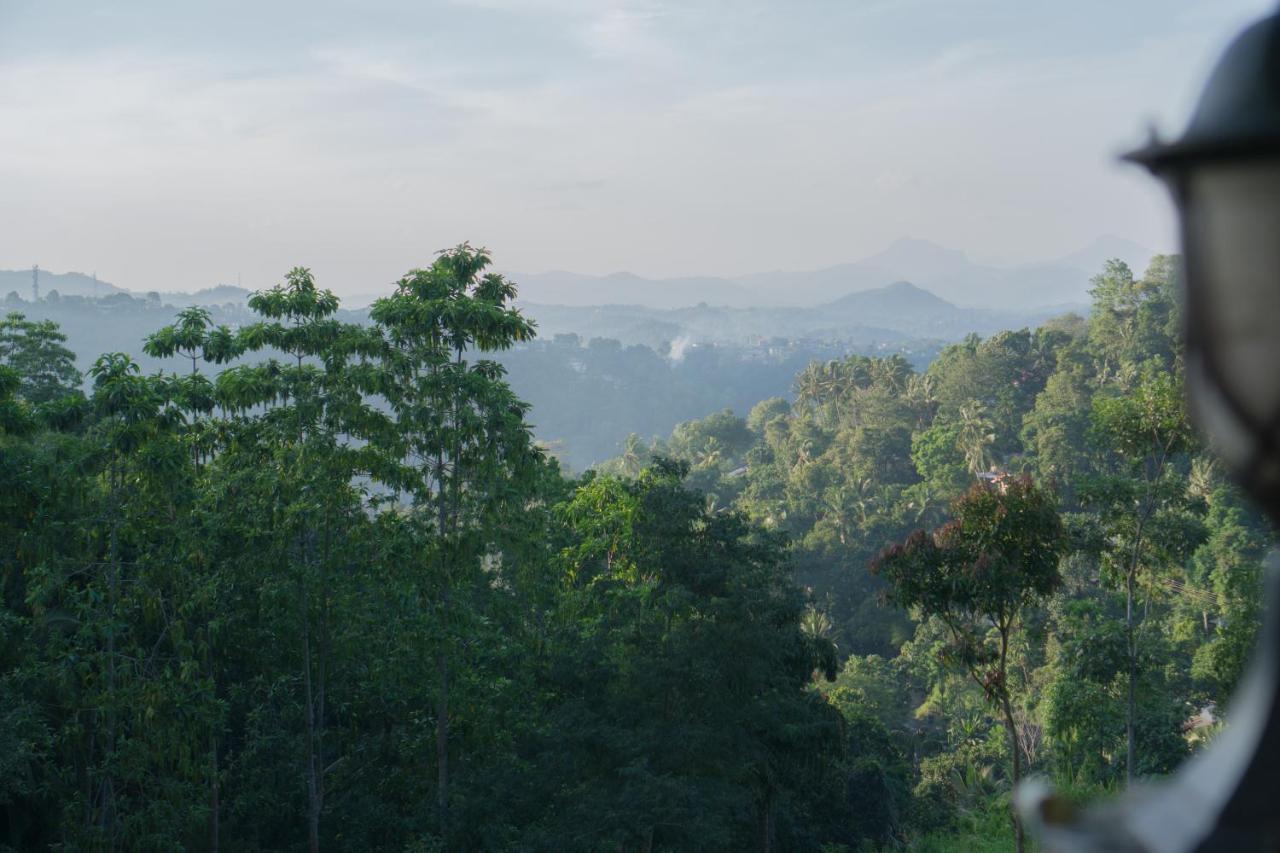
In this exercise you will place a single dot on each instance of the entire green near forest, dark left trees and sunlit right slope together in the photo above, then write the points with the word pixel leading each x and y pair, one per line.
pixel 316 586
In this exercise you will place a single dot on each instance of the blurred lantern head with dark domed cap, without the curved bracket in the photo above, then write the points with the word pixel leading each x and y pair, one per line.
pixel 1226 179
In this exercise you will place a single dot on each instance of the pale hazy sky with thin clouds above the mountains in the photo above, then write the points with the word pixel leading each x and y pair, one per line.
pixel 175 145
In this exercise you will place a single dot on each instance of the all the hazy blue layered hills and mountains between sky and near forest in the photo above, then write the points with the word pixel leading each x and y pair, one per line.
pixel 612 361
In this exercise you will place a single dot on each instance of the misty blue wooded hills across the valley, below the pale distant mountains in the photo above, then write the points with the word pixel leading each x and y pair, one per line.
pixel 587 393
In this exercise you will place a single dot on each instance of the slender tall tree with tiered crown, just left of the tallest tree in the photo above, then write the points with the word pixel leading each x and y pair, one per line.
pixel 300 449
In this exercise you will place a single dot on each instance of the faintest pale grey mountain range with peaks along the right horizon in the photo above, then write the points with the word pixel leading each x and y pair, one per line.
pixel 945 272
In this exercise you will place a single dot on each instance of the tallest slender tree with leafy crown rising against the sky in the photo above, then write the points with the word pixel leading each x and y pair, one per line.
pixel 459 441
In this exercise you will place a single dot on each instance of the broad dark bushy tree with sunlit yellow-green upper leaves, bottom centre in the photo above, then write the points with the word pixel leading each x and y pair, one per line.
pixel 682 705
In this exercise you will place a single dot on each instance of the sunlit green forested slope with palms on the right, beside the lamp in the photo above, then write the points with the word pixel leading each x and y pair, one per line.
pixel 1121 662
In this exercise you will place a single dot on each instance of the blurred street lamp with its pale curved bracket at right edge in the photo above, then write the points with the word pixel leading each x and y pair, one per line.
pixel 1224 175
